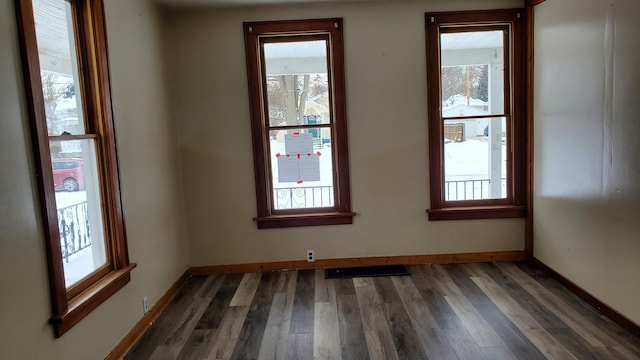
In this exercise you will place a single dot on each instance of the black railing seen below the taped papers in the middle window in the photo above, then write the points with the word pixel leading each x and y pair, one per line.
pixel 303 197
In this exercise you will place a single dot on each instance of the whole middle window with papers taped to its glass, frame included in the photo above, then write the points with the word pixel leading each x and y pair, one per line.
pixel 298 120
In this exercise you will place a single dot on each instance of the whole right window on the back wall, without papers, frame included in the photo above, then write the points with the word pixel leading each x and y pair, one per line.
pixel 477 137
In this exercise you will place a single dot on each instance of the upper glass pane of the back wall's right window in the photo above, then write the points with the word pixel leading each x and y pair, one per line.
pixel 472 73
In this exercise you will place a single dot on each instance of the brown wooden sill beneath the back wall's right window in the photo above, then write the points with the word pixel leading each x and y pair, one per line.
pixel 477 212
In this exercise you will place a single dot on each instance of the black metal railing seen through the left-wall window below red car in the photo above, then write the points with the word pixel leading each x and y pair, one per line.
pixel 73 224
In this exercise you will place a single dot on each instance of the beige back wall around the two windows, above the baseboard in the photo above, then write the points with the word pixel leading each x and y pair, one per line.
pixel 386 101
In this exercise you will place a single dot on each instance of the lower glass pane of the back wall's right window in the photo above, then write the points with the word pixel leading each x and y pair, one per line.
pixel 475 165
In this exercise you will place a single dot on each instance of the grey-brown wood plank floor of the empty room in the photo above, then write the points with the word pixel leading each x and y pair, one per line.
pixel 461 311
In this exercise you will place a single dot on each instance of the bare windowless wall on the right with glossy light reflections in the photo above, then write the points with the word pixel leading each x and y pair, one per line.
pixel 587 148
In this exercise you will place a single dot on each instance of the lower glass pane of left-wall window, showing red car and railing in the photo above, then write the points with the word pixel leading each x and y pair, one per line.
pixel 78 203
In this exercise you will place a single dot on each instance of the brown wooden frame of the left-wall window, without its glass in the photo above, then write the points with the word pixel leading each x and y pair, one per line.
pixel 70 305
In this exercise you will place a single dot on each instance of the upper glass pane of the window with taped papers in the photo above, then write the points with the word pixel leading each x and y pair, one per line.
pixel 297 83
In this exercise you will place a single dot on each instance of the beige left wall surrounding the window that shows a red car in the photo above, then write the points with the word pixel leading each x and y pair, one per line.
pixel 151 194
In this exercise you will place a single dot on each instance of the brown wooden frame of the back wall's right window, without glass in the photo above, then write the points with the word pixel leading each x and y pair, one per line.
pixel 514 205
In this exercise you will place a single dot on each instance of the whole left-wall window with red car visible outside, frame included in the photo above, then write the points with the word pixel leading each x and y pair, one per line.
pixel 65 66
